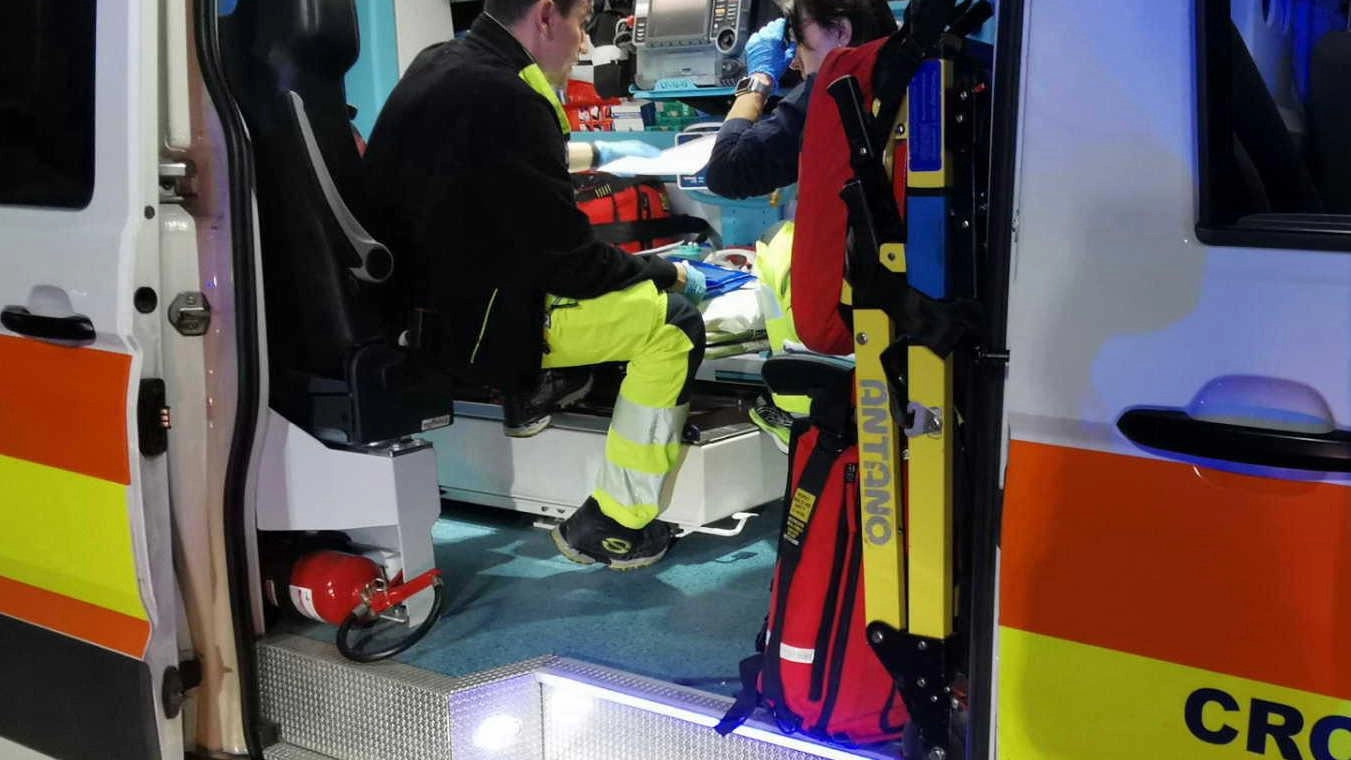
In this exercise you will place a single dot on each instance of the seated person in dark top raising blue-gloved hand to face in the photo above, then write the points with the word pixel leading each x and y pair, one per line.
pixel 755 156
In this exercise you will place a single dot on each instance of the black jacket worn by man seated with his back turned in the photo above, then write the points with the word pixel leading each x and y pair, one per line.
pixel 468 186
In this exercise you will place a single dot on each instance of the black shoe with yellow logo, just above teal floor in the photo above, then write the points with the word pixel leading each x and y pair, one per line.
pixel 591 537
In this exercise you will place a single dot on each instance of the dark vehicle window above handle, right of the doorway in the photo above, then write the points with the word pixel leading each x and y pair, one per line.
pixel 1275 124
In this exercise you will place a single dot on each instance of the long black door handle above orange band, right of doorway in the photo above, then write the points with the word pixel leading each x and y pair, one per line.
pixel 1171 430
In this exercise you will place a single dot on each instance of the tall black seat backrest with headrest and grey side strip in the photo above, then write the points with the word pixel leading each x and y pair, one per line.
pixel 287 53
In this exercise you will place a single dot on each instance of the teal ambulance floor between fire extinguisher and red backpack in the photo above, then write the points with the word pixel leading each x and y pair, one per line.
pixel 690 619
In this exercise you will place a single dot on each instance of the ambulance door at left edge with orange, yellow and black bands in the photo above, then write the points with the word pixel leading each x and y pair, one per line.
pixel 87 591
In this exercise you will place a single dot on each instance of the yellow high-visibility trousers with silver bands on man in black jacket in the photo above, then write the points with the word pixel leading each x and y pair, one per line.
pixel 661 335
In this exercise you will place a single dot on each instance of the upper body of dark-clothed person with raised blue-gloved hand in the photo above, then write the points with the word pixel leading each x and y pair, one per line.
pixel 755 156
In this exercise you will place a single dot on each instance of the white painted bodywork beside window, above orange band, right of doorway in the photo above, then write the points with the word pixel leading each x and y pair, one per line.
pixel 1114 302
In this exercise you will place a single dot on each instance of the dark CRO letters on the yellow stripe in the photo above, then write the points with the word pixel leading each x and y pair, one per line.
pixel 1214 716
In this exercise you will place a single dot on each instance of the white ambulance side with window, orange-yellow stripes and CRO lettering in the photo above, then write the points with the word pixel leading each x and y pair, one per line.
pixel 1176 520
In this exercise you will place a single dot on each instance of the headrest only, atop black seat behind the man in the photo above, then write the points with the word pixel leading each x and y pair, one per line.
pixel 320 37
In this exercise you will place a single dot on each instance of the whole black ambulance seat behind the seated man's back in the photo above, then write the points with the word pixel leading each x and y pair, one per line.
pixel 334 367
